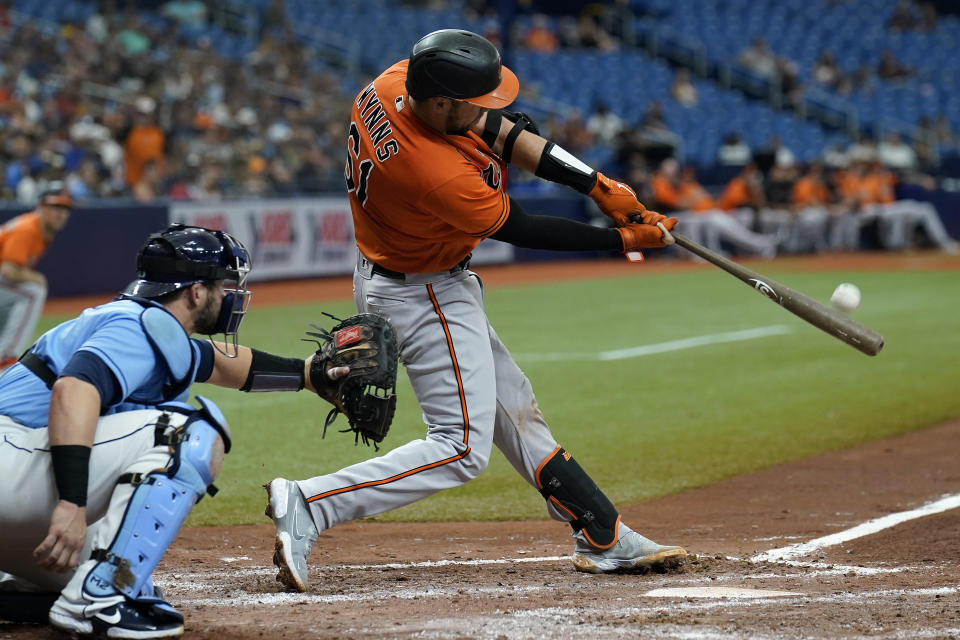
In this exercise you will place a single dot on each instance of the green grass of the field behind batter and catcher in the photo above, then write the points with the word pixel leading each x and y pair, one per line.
pixel 646 426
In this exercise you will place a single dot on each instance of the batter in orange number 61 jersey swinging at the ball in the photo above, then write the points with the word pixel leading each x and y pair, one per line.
pixel 427 155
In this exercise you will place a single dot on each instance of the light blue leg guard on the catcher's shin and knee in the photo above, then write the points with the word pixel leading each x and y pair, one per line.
pixel 161 500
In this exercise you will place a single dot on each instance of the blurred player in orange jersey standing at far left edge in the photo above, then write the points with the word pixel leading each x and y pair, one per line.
pixel 23 289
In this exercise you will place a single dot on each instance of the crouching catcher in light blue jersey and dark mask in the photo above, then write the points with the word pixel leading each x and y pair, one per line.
pixel 102 457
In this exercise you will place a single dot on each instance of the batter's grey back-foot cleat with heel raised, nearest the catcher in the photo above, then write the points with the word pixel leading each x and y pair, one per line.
pixel 296 533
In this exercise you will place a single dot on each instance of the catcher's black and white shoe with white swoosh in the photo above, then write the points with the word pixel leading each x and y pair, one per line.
pixel 126 619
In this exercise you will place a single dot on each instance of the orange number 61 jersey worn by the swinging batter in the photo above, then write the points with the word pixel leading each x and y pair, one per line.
pixel 421 200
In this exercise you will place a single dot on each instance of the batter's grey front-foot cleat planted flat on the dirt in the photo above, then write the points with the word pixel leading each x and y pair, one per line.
pixel 631 551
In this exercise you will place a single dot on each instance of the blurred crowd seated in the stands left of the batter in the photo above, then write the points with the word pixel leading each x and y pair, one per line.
pixel 120 108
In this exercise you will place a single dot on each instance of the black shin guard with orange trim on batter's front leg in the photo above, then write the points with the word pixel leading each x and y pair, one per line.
pixel 568 488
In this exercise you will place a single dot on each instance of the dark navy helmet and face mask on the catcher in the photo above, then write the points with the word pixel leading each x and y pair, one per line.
pixel 182 255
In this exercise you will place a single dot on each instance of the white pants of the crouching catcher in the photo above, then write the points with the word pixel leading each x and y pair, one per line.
pixel 124 443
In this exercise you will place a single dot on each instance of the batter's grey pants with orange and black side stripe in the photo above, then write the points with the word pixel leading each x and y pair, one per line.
pixel 471 392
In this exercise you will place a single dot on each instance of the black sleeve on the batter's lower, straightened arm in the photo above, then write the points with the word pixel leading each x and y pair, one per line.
pixel 559 234
